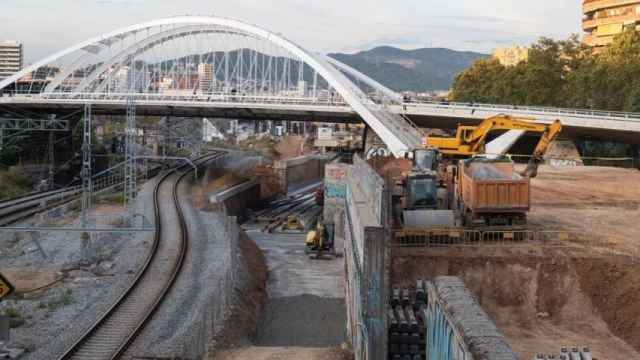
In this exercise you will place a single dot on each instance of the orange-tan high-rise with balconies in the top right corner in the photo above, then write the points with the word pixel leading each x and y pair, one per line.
pixel 604 19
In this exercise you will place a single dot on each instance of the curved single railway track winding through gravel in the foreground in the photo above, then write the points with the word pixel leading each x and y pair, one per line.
pixel 117 328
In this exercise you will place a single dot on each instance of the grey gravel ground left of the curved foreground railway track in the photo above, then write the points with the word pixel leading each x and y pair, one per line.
pixel 90 281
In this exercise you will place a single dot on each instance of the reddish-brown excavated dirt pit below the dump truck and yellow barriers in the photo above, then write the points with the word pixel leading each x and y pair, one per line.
pixel 542 301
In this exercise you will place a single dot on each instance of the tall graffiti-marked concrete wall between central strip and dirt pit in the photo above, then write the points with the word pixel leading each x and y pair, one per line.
pixel 366 250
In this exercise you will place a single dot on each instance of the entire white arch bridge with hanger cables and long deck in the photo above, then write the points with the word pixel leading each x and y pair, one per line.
pixel 220 67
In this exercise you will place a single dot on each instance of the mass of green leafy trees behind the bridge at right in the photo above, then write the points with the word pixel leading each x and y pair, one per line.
pixel 560 73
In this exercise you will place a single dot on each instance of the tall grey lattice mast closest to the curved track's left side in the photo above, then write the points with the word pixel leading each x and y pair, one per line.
pixel 130 184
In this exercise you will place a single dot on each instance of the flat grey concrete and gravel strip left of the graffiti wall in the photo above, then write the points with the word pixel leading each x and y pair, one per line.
pixel 305 306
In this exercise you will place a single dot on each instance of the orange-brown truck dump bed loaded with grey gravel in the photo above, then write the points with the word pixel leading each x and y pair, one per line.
pixel 493 186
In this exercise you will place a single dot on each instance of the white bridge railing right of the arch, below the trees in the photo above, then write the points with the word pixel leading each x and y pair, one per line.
pixel 541 109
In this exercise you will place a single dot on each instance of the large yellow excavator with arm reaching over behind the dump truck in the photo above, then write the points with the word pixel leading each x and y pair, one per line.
pixel 471 140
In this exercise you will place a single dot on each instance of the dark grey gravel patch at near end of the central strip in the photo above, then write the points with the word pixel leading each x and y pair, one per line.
pixel 306 321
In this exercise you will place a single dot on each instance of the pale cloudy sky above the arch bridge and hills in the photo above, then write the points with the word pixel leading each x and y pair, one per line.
pixel 47 26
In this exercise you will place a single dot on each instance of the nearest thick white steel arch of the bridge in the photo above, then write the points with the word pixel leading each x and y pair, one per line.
pixel 397 134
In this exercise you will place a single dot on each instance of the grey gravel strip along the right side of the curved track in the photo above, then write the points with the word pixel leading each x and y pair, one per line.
pixel 189 317
